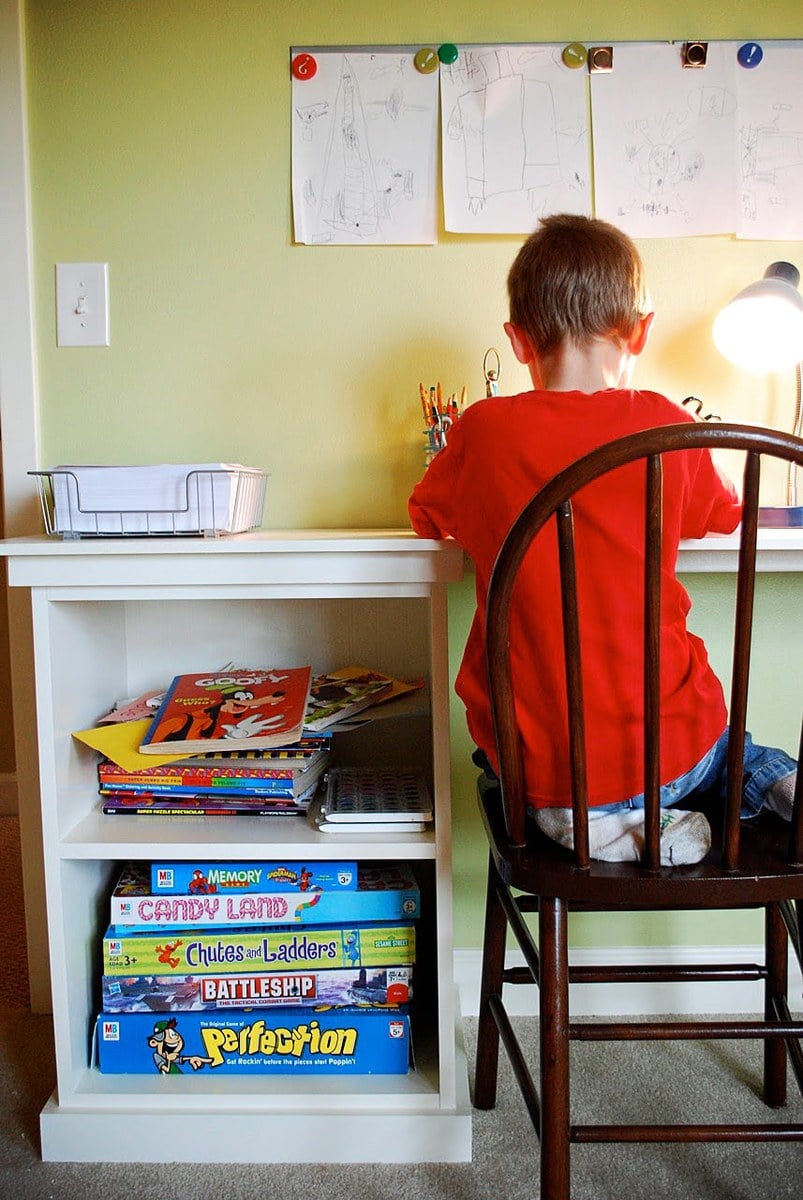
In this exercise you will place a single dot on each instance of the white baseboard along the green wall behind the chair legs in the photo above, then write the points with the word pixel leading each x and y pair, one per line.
pixel 640 999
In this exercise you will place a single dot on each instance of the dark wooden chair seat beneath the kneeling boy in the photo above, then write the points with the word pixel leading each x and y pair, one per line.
pixel 546 868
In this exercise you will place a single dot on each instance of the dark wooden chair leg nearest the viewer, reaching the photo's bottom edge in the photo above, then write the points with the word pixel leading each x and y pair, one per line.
pixel 554 953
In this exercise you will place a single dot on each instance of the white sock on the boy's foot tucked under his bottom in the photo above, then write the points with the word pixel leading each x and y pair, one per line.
pixel 620 837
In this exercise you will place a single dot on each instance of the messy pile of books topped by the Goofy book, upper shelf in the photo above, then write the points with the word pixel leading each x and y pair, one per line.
pixel 236 741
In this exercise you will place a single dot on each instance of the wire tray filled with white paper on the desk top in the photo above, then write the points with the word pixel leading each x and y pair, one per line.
pixel 167 499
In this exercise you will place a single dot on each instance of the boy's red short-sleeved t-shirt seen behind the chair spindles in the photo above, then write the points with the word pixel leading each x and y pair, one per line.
pixel 500 453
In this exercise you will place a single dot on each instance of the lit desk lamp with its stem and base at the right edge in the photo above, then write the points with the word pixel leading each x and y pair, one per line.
pixel 762 329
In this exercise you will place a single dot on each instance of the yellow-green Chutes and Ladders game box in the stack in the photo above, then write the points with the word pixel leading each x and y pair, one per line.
pixel 254 950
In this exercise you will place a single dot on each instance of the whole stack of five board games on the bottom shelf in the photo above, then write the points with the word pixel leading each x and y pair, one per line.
pixel 259 968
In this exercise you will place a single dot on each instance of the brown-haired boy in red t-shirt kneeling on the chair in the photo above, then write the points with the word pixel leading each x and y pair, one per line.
pixel 579 320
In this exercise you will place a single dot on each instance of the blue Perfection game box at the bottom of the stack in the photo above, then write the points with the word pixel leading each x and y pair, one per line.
pixel 280 1042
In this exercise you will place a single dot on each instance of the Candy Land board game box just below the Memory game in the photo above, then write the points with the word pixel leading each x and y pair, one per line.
pixel 382 893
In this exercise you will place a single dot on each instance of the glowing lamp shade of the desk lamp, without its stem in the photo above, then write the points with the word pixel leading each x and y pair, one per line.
pixel 762 329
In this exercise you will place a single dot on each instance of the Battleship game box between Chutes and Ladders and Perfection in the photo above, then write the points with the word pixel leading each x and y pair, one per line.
pixel 269 989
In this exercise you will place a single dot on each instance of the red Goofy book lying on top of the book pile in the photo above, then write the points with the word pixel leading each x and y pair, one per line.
pixel 237 710
